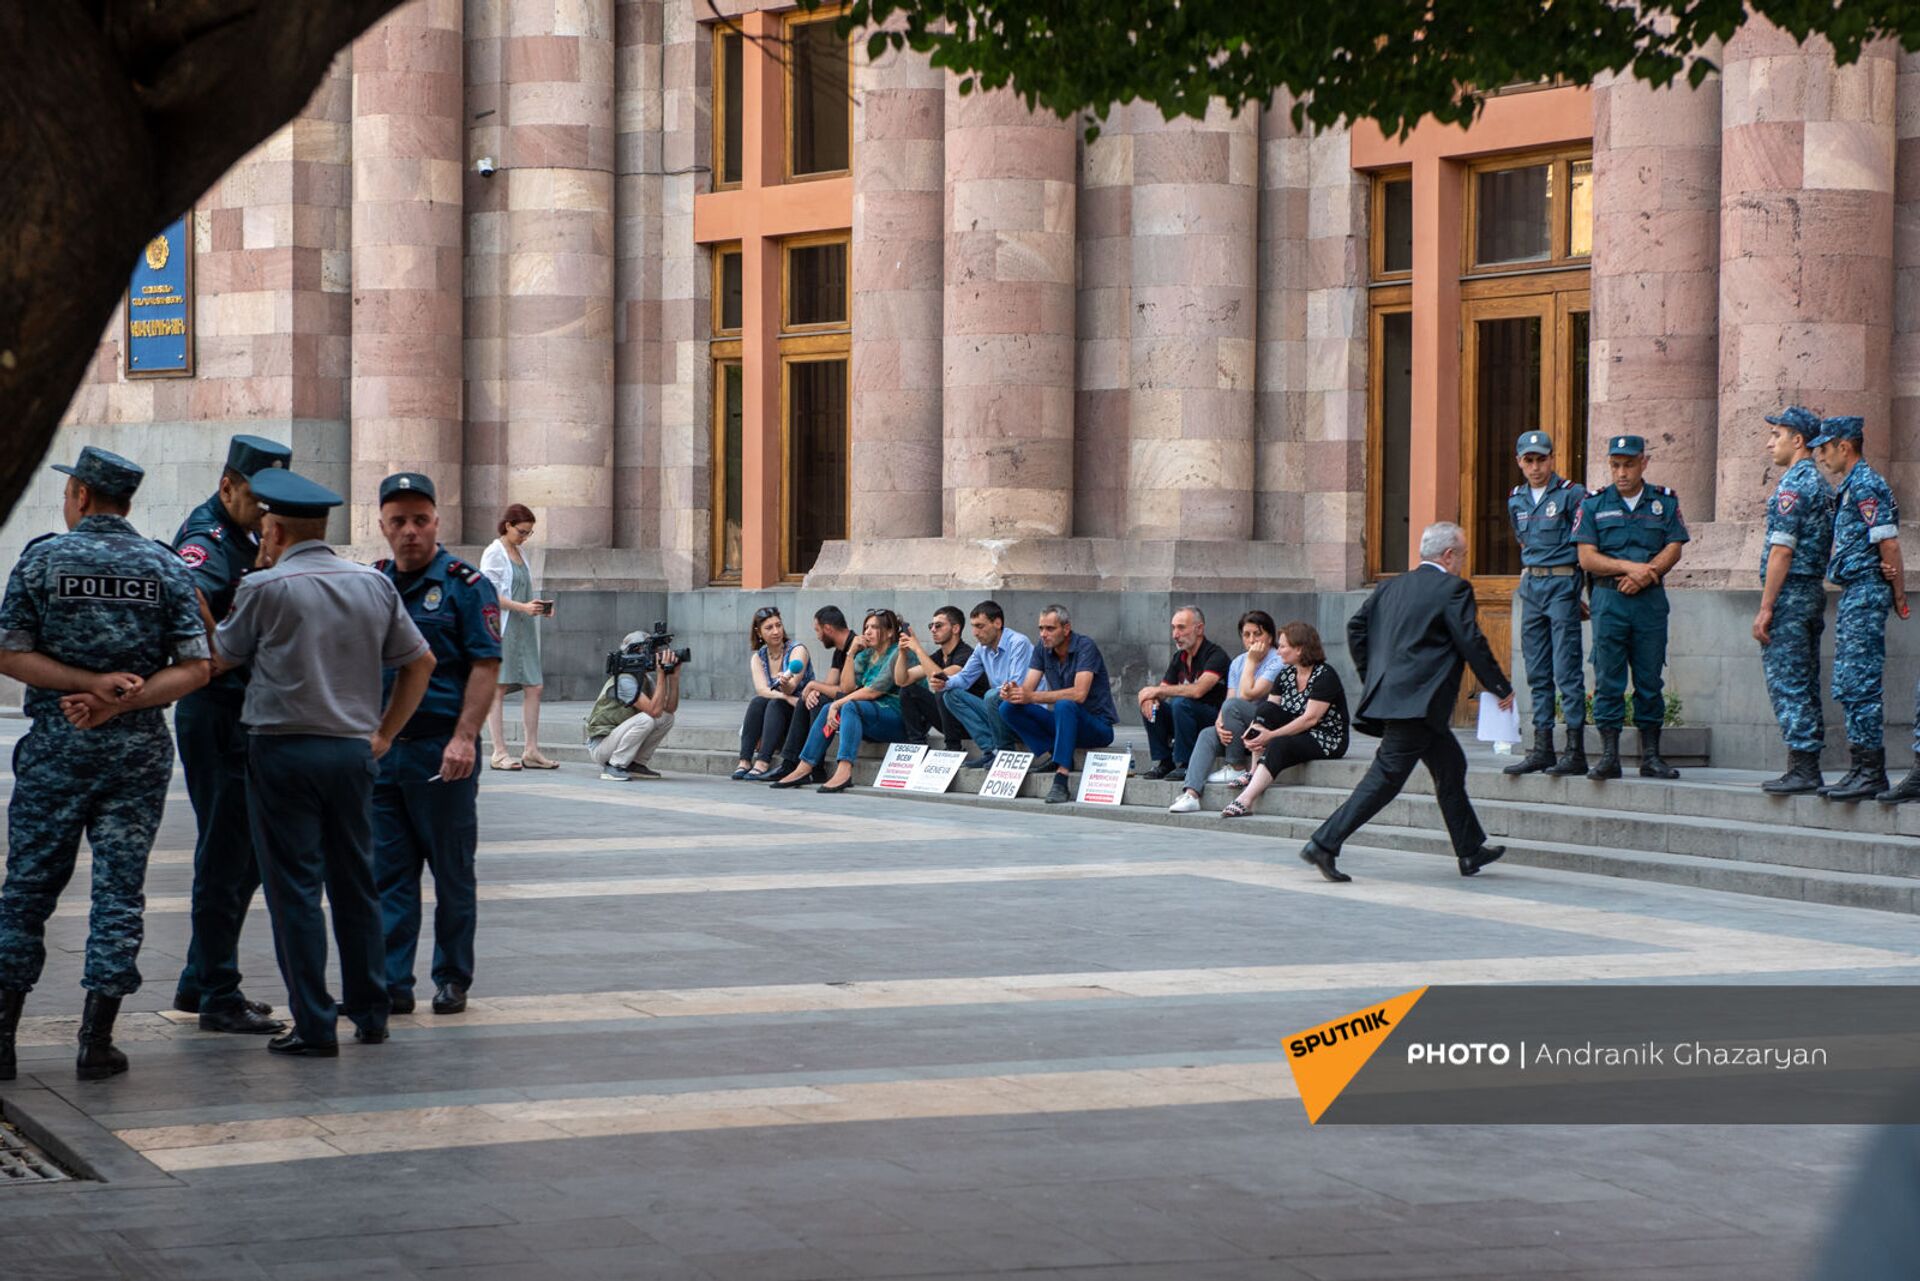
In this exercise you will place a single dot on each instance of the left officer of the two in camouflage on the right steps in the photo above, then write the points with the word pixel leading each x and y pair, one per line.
pixel 1800 535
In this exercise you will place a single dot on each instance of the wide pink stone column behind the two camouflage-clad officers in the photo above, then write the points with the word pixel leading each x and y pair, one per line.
pixel 1806 247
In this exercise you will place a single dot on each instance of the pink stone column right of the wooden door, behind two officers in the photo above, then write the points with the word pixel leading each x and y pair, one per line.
pixel 1654 352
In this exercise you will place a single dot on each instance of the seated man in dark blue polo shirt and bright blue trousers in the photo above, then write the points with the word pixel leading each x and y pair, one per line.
pixel 1072 710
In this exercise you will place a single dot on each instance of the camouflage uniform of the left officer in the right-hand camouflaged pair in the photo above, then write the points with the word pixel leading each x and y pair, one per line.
pixel 1800 516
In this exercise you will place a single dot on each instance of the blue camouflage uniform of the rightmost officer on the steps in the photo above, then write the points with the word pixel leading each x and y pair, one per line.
pixel 1865 516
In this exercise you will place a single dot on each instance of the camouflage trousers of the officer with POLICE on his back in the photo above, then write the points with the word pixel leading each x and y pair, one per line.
pixel 108 785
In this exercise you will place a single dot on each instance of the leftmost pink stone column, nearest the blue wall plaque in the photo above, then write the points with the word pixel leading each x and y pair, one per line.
pixel 408 245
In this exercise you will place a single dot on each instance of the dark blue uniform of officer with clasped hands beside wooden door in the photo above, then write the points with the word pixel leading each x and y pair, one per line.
pixel 1629 631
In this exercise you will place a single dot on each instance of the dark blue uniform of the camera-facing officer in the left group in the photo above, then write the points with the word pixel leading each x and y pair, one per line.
pixel 423 823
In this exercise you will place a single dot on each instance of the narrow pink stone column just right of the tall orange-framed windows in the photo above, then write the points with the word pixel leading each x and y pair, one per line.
pixel 900 189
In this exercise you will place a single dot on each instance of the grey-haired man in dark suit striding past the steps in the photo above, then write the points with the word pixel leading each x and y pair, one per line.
pixel 1422 631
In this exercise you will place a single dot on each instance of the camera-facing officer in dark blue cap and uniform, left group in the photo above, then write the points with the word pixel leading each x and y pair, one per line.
pixel 425 800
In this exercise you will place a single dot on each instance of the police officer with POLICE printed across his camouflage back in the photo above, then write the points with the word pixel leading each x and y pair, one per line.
pixel 105 631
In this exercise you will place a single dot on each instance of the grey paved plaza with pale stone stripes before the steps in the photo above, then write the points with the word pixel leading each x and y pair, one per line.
pixel 732 1034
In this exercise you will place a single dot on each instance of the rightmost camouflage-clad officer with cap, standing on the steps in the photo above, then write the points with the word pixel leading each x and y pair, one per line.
pixel 1867 568
